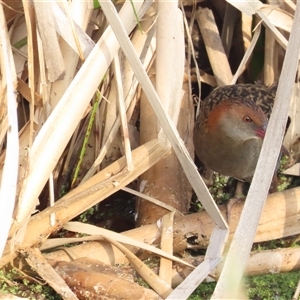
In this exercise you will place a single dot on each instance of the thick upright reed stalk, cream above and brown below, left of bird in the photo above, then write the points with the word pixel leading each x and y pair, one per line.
pixel 167 79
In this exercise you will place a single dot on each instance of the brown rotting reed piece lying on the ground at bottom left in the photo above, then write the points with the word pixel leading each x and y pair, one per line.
pixel 83 275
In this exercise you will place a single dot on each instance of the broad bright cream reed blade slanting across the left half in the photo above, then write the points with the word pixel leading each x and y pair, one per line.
pixel 57 130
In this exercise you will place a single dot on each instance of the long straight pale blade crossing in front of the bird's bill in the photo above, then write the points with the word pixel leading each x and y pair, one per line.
pixel 241 245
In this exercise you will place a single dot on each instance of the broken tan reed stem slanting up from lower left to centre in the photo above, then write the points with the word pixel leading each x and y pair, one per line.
pixel 97 188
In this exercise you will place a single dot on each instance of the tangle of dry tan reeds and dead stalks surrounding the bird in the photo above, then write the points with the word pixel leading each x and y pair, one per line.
pixel 89 123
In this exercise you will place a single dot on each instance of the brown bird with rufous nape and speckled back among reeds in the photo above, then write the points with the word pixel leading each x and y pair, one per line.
pixel 230 128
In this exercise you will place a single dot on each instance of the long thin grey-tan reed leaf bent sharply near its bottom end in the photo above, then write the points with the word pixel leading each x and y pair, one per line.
pixel 221 230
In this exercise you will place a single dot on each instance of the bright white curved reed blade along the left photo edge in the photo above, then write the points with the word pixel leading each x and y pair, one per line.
pixel 10 171
